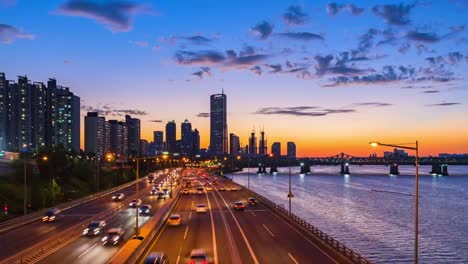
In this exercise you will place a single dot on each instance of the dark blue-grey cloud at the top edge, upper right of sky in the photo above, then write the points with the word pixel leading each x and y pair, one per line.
pixel 397 15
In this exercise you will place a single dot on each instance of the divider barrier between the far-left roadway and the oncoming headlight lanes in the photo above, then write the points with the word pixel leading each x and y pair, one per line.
pixel 53 244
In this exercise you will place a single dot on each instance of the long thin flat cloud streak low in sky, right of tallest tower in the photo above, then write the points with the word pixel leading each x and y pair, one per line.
pixel 311 111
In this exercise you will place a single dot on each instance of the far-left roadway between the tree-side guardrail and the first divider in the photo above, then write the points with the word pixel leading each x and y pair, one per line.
pixel 19 239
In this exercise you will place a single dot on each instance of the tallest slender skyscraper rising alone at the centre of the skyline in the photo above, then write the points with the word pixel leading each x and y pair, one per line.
pixel 218 124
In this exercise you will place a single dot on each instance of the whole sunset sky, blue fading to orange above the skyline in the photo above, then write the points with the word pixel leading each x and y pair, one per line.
pixel 329 76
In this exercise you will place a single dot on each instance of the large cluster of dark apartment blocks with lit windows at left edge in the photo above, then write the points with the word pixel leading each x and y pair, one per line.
pixel 33 115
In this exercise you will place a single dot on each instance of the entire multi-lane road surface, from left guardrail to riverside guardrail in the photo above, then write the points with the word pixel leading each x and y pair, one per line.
pixel 262 233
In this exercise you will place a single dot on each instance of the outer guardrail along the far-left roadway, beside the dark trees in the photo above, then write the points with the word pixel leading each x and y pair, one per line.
pixel 26 219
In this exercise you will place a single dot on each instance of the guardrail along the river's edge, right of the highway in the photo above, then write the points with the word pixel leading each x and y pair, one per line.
pixel 330 241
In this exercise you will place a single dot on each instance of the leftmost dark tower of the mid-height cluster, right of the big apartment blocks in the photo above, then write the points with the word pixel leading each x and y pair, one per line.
pixel 95 134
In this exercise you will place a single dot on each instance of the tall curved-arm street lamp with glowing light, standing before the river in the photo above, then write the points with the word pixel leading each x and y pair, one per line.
pixel 416 186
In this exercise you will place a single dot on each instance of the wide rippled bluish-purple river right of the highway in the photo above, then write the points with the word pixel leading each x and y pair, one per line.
pixel 373 213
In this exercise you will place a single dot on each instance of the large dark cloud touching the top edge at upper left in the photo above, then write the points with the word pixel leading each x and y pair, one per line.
pixel 115 15
